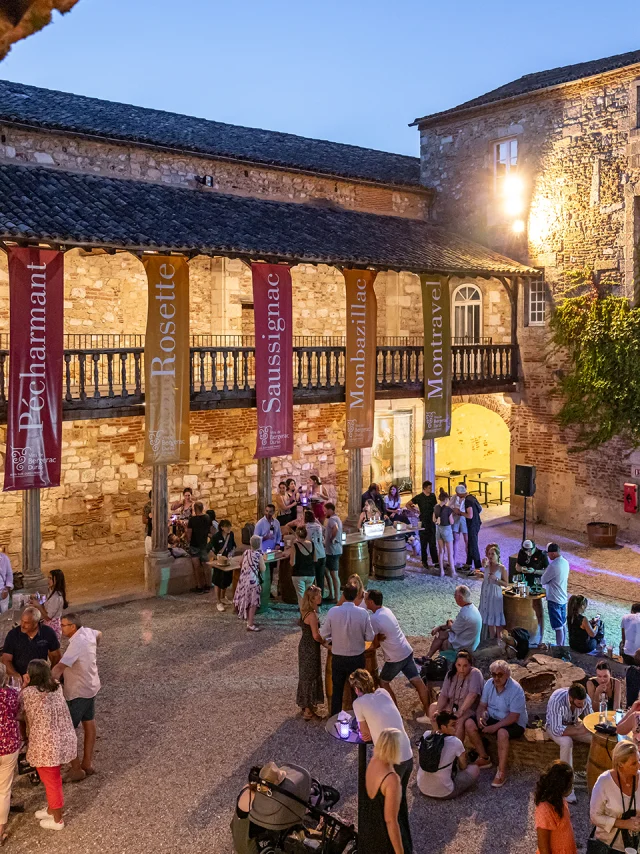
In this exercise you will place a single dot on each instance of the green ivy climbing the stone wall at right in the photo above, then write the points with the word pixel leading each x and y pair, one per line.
pixel 601 387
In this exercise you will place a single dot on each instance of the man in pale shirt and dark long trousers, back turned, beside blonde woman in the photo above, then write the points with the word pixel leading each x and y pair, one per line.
pixel 348 628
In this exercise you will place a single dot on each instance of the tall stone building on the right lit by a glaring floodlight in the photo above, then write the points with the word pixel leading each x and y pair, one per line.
pixel 547 170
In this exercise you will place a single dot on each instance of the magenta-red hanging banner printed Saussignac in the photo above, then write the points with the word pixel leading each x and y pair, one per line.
pixel 272 308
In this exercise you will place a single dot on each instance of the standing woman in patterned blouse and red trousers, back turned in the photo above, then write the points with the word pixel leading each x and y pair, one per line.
pixel 52 737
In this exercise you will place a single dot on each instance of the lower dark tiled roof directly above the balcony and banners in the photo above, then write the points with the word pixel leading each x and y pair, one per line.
pixel 39 203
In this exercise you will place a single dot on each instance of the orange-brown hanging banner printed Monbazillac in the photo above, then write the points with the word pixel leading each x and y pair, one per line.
pixel 360 385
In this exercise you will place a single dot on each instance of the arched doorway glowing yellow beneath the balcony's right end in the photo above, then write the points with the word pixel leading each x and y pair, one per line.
pixel 479 440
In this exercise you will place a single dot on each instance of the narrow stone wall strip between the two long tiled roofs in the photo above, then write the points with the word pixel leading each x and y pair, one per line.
pixel 125 160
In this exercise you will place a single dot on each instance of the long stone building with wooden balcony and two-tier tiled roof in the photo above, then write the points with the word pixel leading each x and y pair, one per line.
pixel 107 182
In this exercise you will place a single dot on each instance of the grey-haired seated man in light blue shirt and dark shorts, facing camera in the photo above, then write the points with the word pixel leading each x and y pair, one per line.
pixel 503 712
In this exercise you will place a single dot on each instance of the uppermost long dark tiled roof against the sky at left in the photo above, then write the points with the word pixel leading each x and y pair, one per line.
pixel 53 110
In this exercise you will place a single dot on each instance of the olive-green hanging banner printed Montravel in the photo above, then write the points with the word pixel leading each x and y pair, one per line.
pixel 437 356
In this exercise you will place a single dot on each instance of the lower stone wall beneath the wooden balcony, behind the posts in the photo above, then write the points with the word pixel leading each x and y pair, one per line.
pixel 105 484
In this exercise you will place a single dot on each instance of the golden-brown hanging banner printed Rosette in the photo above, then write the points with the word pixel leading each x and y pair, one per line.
pixel 166 361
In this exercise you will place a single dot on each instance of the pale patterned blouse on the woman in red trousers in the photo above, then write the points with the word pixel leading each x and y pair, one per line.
pixel 52 738
